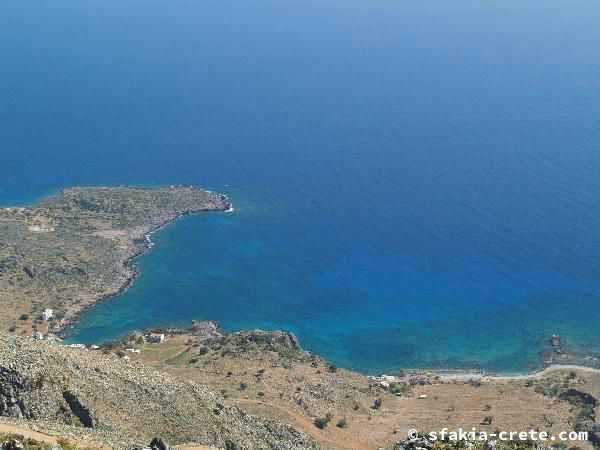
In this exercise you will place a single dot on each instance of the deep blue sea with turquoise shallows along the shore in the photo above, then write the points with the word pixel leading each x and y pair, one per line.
pixel 416 182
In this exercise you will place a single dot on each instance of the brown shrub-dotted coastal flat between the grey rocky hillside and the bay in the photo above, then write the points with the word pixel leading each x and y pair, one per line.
pixel 269 375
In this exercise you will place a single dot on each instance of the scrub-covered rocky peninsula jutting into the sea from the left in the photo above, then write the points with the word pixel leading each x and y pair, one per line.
pixel 73 249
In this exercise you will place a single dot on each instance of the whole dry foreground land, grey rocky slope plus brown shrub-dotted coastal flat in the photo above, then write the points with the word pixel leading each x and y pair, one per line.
pixel 256 389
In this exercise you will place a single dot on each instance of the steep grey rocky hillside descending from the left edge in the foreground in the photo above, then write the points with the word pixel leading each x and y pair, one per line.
pixel 40 381
